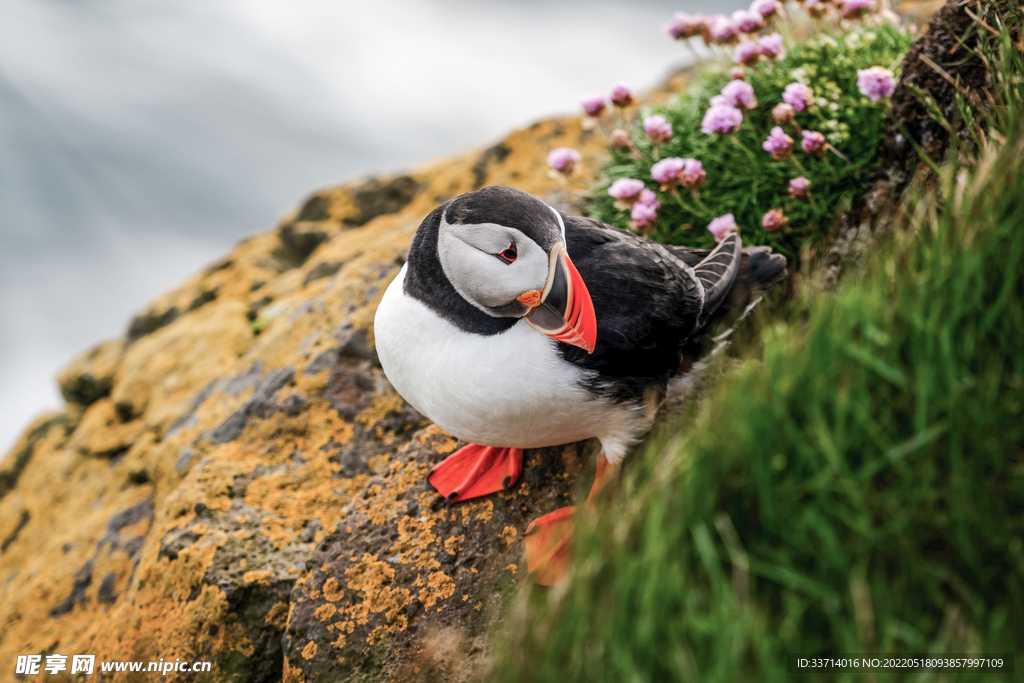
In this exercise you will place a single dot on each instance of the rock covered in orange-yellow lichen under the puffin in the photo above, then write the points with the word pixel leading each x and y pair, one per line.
pixel 236 481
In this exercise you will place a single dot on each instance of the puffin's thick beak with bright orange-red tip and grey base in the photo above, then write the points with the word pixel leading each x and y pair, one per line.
pixel 566 312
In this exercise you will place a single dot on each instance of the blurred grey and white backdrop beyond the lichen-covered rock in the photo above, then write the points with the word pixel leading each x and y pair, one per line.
pixel 140 141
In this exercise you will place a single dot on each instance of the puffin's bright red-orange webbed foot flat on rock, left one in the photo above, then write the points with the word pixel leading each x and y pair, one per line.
pixel 477 471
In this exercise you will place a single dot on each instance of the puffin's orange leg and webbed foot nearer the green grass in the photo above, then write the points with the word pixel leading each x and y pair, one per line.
pixel 549 539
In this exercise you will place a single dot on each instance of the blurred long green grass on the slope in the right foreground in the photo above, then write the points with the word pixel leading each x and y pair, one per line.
pixel 860 489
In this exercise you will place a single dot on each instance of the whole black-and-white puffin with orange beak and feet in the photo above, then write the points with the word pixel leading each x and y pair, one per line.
pixel 516 326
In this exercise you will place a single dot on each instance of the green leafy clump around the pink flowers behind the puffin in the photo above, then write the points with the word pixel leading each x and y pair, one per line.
pixel 743 179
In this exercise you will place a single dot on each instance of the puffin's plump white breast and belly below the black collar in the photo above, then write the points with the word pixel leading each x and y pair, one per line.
pixel 510 390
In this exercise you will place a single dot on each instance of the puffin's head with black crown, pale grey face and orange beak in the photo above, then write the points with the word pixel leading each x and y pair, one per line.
pixel 504 252
